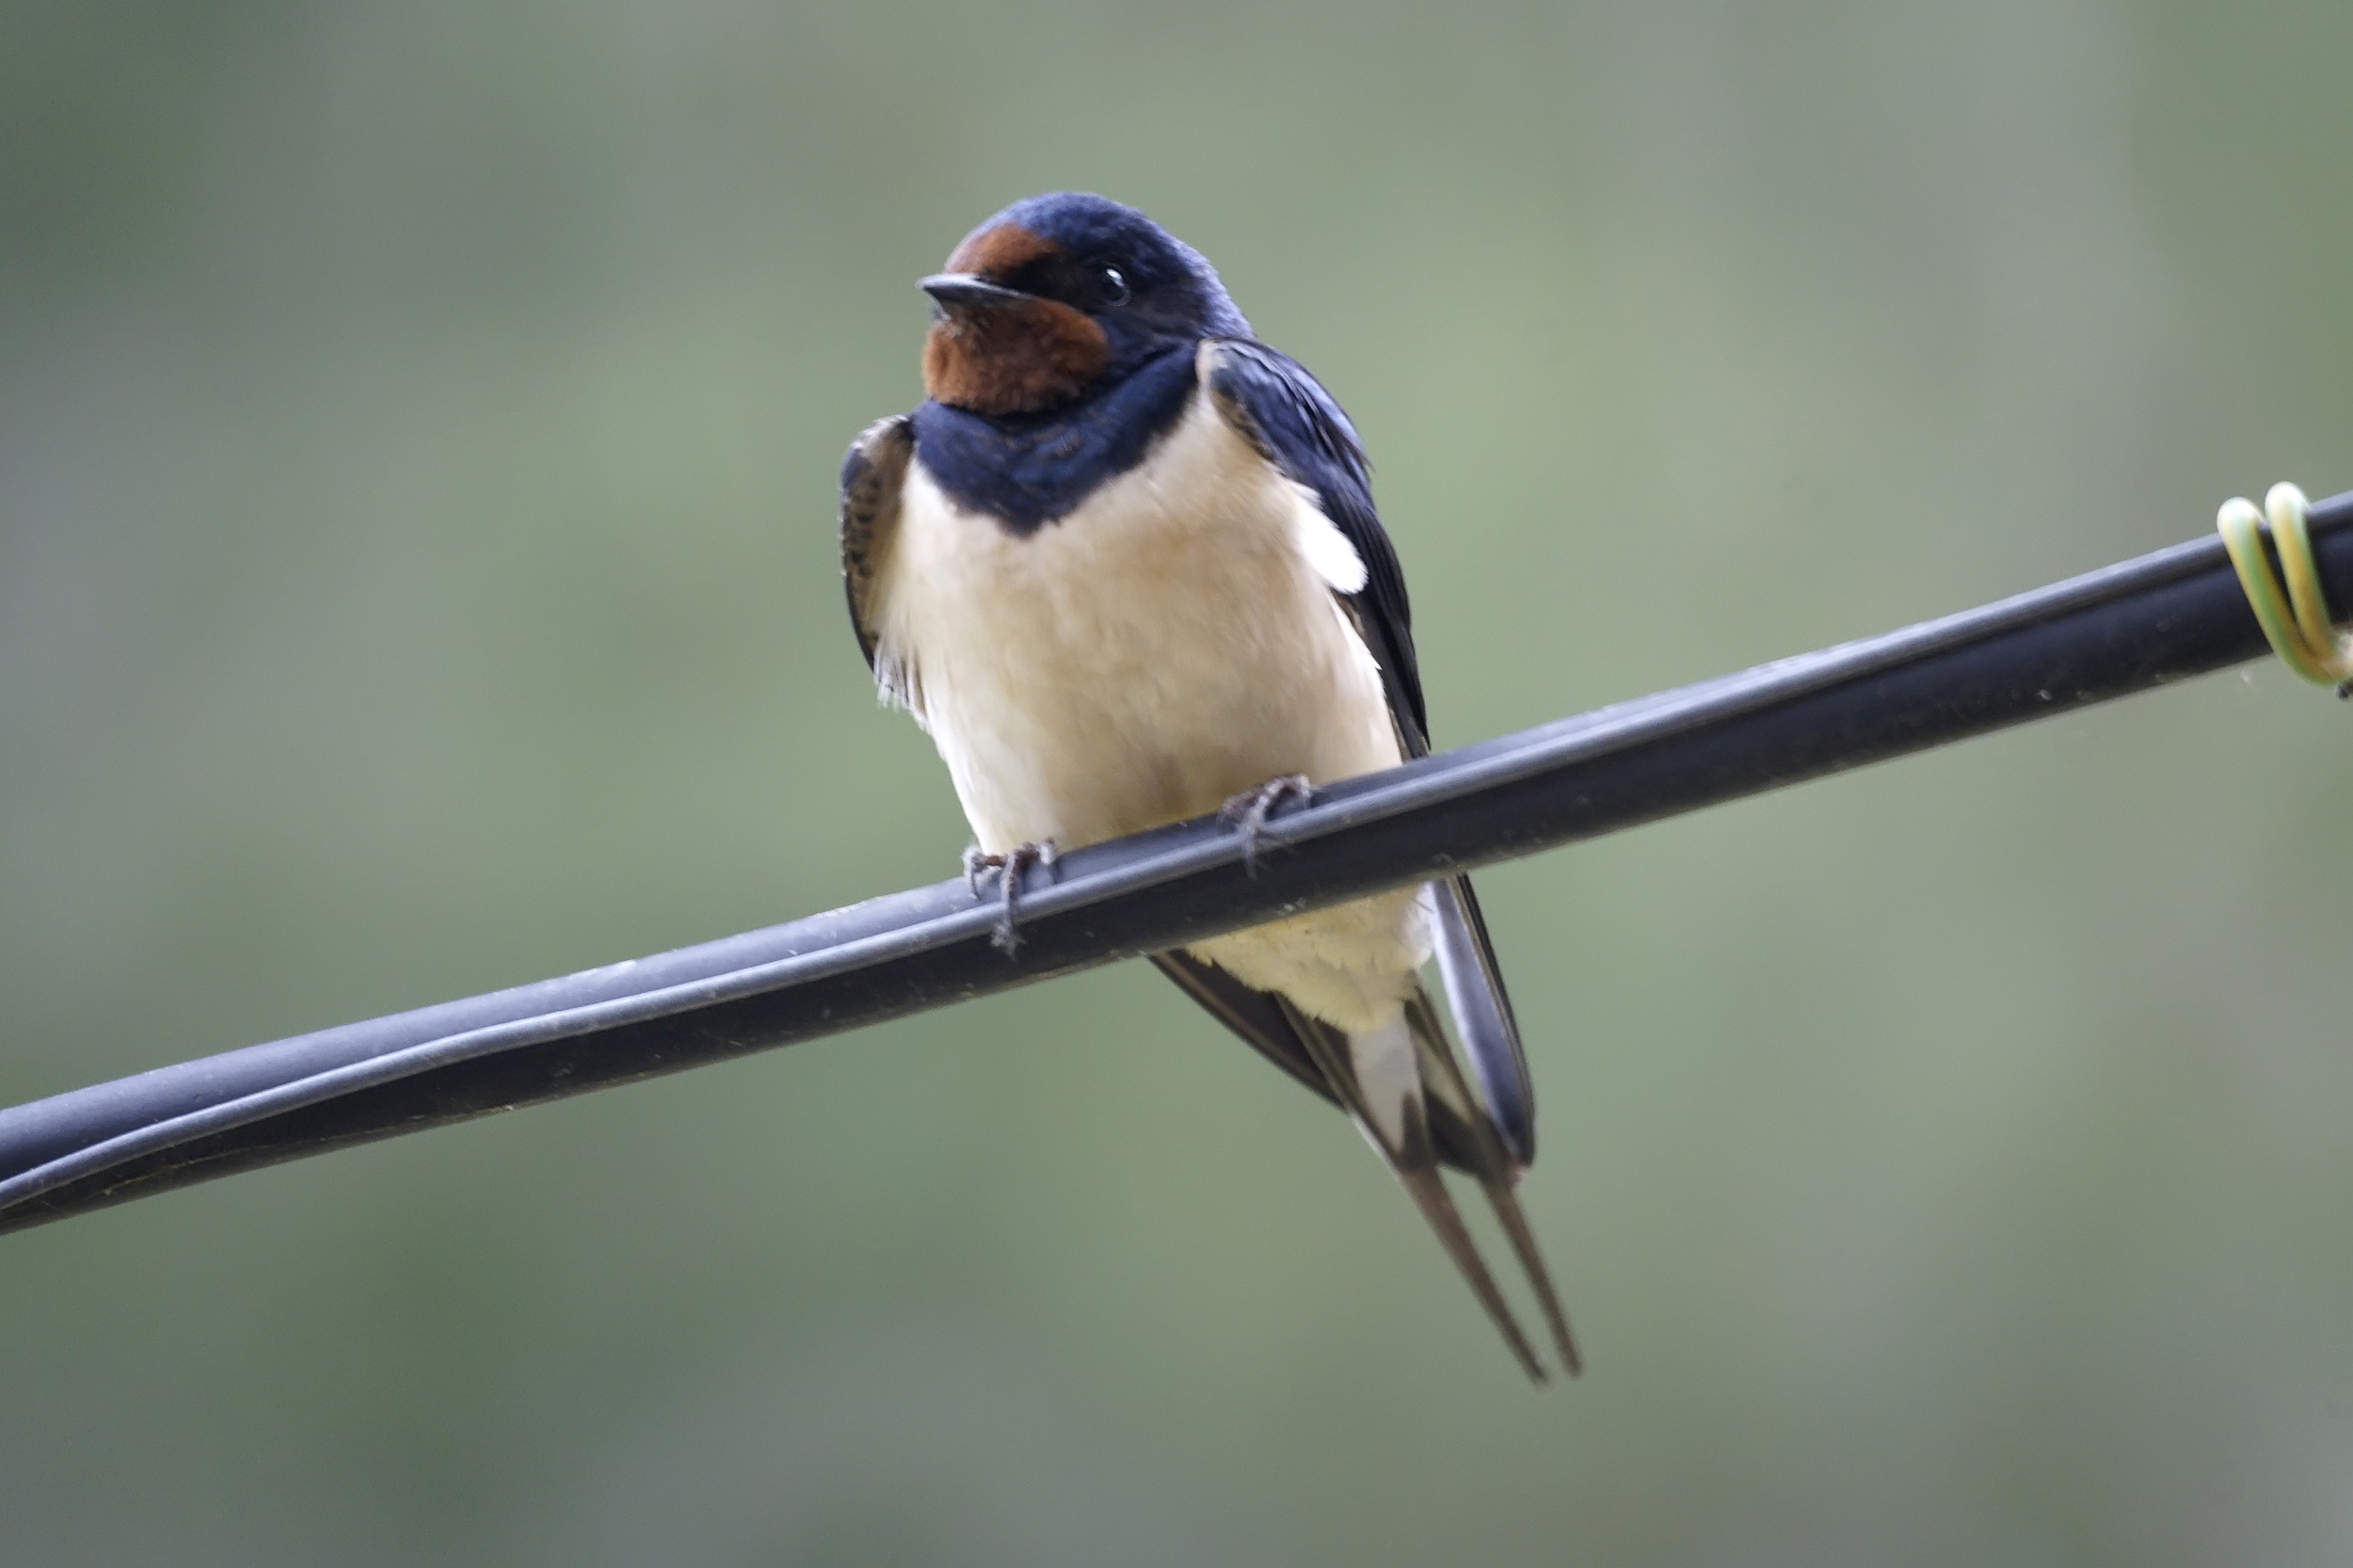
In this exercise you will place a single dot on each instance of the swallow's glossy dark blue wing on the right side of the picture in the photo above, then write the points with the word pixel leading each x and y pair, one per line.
pixel 1295 425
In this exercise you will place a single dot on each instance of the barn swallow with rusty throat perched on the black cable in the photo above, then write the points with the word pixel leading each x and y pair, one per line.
pixel 1124 566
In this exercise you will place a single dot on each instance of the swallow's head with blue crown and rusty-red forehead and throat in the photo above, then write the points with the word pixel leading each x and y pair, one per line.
pixel 1060 298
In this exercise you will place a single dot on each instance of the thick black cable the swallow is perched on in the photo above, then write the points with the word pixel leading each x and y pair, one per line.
pixel 2107 634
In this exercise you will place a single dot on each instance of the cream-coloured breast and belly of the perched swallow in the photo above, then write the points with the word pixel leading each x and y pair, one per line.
pixel 1164 649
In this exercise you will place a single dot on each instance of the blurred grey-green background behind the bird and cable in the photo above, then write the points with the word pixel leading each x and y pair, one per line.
pixel 418 437
